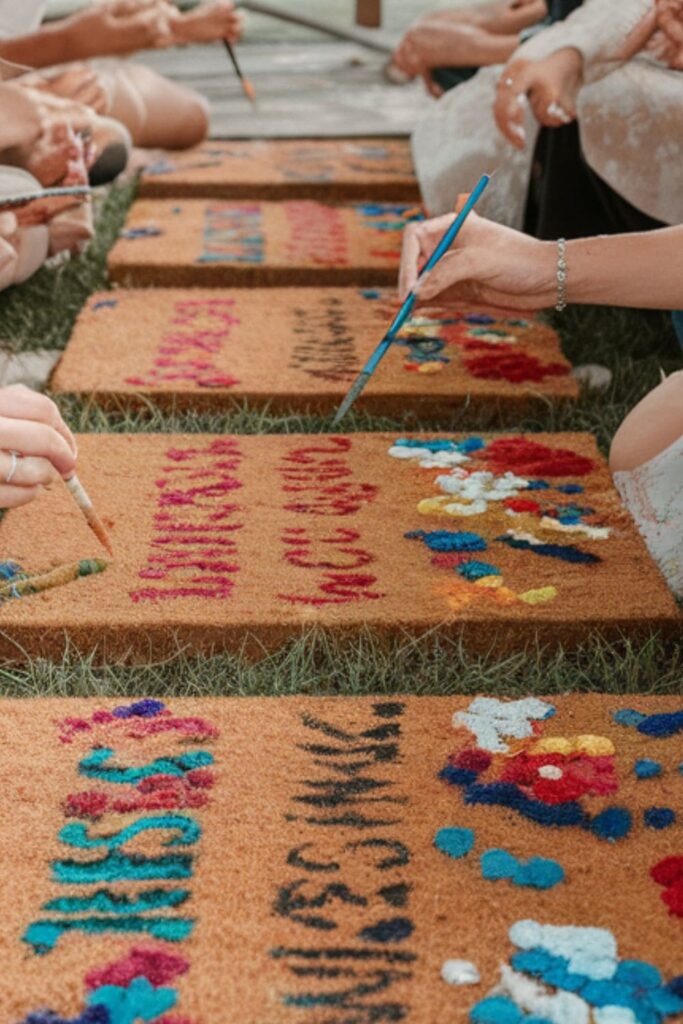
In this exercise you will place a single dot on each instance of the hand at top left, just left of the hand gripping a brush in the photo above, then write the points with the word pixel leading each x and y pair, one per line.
pixel 120 27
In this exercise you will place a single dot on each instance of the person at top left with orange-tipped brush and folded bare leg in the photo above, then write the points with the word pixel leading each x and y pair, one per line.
pixel 158 113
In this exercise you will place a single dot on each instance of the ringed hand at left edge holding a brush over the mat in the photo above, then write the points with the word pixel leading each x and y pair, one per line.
pixel 32 428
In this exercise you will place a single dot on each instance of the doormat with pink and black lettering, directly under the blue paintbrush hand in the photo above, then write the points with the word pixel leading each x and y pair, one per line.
pixel 305 348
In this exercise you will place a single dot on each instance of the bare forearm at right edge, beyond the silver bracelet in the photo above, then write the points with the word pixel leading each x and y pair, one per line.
pixel 643 271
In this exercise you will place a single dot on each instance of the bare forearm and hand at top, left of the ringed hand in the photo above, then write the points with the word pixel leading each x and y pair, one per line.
pixel 446 48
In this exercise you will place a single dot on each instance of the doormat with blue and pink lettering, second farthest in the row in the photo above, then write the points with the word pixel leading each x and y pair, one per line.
pixel 220 243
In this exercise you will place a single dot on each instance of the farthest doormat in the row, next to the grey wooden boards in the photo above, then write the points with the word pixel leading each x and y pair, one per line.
pixel 337 169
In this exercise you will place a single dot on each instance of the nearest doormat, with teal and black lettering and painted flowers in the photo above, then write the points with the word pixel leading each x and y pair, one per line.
pixel 303 861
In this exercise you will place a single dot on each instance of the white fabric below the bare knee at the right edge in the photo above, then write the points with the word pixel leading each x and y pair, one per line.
pixel 654 495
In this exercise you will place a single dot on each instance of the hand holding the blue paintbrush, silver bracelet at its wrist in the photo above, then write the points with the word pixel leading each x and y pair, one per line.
pixel 489 265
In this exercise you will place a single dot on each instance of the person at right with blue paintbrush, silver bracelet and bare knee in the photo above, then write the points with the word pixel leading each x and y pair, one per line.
pixel 492 265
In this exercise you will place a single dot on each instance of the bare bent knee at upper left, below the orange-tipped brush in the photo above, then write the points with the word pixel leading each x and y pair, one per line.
pixel 158 113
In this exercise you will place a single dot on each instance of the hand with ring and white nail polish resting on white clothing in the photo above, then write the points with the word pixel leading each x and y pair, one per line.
pixel 550 87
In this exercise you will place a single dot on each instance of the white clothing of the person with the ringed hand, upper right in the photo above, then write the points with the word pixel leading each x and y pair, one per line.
pixel 630 117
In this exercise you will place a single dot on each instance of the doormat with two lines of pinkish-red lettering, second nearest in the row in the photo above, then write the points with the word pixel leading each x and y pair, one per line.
pixel 222 538
